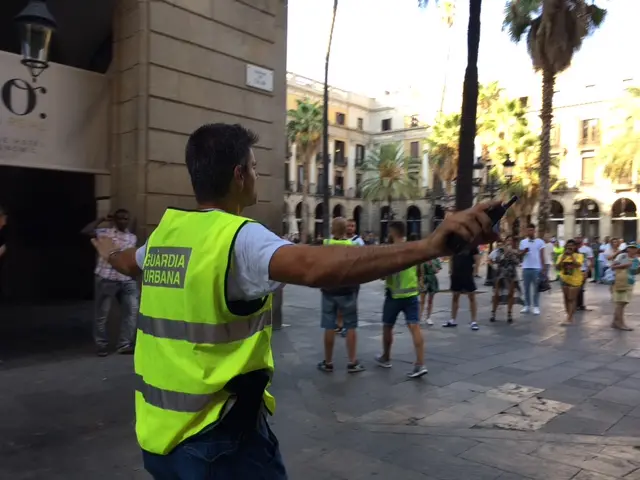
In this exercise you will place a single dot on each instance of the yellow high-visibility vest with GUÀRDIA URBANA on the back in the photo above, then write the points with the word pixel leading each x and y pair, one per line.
pixel 191 339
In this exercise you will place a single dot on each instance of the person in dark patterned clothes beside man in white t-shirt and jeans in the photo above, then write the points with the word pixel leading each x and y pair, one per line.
pixel 505 259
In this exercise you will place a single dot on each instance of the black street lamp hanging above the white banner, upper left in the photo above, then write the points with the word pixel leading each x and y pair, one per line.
pixel 37 27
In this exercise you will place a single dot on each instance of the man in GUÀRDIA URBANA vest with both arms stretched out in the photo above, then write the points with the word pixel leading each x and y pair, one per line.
pixel 203 356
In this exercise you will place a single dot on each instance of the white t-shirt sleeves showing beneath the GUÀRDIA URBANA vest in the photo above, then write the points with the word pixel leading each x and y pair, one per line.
pixel 249 277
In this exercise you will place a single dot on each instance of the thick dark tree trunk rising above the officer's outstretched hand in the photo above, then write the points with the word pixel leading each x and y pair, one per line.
pixel 464 183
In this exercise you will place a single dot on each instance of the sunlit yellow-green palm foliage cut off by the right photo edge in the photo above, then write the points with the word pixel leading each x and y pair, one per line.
pixel 622 155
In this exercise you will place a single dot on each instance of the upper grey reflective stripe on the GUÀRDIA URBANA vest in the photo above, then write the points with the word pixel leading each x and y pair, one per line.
pixel 205 333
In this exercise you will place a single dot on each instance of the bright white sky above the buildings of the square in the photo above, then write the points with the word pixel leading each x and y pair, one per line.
pixel 390 44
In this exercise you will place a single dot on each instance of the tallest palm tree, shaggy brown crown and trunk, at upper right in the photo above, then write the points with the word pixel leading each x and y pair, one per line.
pixel 555 31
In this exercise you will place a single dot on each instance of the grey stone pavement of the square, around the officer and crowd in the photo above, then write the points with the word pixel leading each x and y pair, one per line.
pixel 531 400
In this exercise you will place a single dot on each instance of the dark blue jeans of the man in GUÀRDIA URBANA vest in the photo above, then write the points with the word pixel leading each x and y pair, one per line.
pixel 221 453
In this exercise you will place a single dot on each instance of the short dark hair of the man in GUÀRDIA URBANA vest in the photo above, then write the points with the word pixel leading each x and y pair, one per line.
pixel 212 154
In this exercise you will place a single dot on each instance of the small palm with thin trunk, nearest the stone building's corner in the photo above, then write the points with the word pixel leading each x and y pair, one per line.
pixel 304 128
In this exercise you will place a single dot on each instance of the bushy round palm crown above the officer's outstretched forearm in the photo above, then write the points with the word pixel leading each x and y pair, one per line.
pixel 390 175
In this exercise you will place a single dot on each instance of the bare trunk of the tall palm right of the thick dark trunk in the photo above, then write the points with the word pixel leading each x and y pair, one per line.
pixel 546 115
